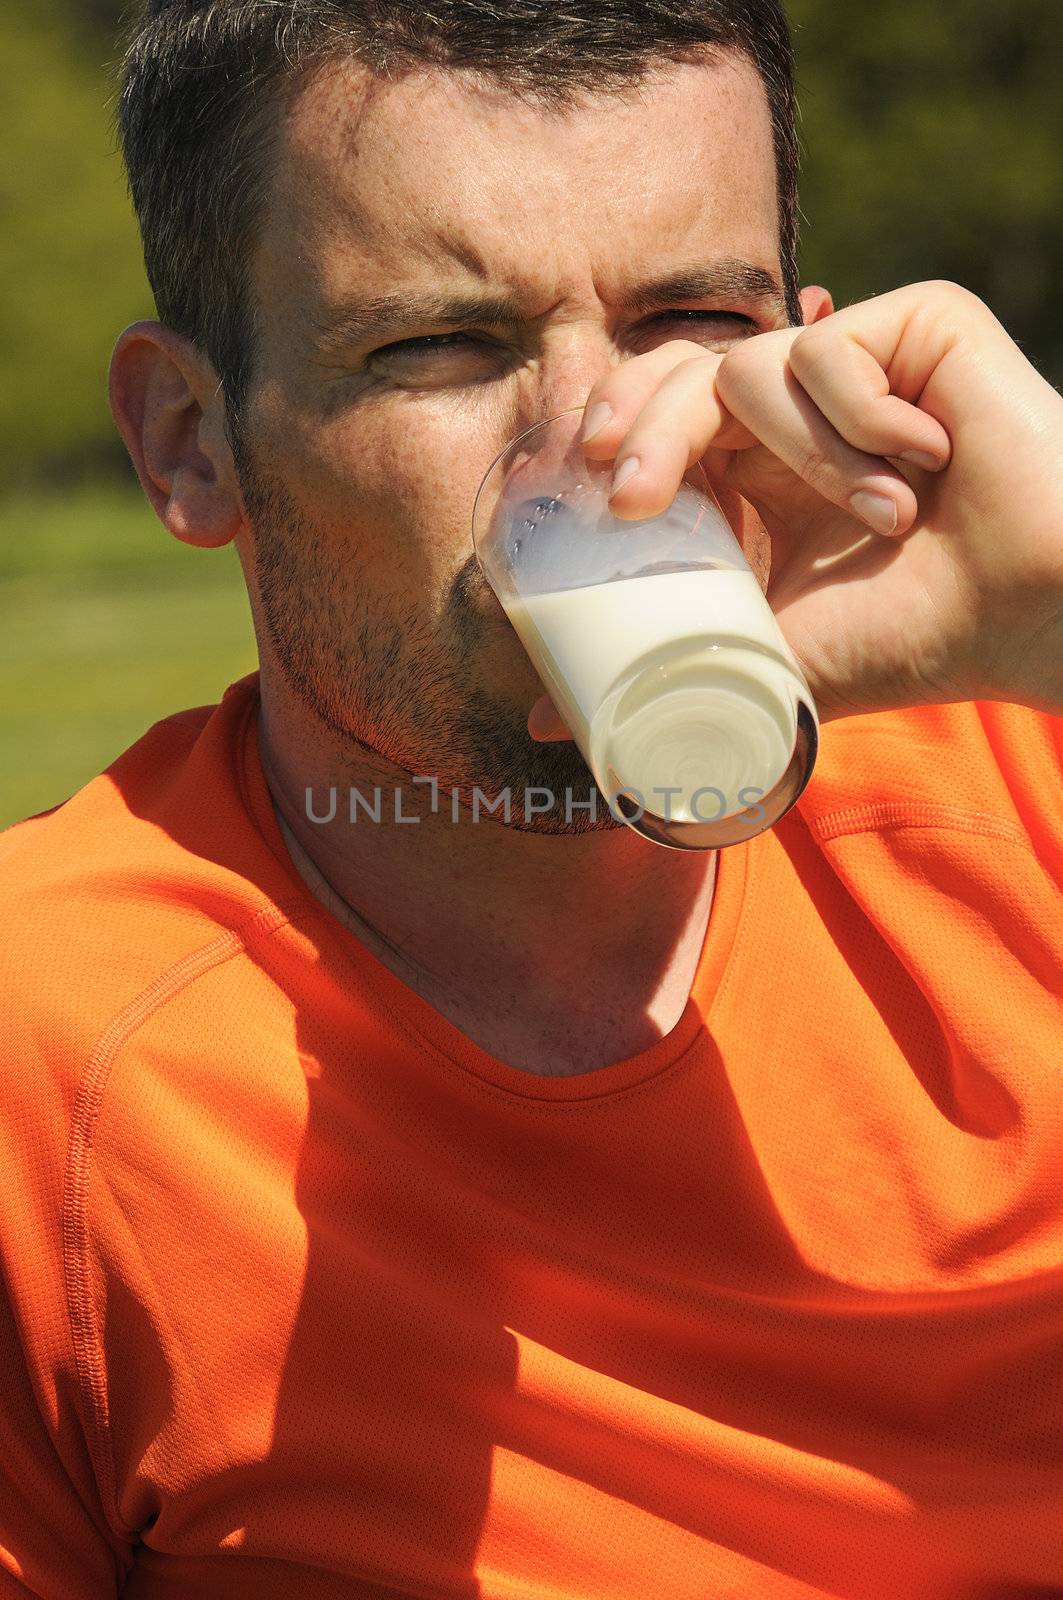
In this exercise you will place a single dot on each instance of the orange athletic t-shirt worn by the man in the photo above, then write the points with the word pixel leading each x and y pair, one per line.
pixel 310 1297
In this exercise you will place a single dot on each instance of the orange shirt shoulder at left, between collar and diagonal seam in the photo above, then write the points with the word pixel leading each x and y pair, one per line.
pixel 103 895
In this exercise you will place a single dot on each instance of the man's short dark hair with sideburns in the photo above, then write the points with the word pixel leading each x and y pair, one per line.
pixel 204 82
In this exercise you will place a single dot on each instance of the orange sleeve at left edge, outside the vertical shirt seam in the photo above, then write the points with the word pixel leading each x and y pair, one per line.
pixel 57 1537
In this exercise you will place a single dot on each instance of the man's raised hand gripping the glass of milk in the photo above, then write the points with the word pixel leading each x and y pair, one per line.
pixel 918 399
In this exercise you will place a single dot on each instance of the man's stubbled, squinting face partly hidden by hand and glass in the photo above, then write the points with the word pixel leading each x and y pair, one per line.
pixel 366 454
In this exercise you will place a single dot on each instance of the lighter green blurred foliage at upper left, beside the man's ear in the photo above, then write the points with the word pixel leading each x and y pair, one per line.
pixel 71 271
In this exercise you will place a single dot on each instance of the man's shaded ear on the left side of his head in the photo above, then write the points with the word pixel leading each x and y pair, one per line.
pixel 169 409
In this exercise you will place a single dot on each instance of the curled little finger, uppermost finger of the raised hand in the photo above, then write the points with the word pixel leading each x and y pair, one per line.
pixel 852 391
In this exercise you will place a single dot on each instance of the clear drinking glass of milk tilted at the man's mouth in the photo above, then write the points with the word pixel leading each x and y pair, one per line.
pixel 654 639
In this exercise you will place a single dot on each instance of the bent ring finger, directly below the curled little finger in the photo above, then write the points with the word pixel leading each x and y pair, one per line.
pixel 760 390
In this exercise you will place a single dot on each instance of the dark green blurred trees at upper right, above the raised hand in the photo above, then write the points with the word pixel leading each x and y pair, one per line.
pixel 936 151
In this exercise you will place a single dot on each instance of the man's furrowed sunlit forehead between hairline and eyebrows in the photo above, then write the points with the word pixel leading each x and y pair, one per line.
pixel 441 174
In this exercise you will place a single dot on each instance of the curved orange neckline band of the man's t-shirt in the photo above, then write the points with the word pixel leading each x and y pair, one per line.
pixel 417 1017
